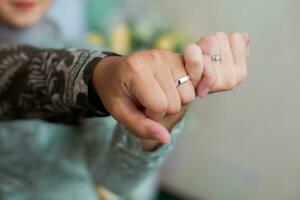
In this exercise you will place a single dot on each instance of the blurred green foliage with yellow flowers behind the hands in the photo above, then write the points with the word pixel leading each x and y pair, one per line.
pixel 110 28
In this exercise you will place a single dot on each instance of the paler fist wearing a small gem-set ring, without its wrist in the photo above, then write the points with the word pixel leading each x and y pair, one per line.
pixel 225 74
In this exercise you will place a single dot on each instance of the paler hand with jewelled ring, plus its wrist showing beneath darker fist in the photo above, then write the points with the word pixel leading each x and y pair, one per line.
pixel 213 77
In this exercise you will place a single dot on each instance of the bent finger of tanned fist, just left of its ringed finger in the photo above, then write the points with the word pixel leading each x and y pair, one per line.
pixel 166 83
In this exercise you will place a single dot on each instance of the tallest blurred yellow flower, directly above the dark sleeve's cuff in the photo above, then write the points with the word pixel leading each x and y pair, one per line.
pixel 121 39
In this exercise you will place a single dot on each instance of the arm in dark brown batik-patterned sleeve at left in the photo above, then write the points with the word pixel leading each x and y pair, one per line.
pixel 48 83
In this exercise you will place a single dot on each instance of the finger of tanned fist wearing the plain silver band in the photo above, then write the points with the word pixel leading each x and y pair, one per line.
pixel 186 91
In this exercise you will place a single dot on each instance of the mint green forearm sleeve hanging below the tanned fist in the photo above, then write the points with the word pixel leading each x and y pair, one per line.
pixel 115 157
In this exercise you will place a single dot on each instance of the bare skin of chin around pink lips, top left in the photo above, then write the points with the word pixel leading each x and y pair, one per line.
pixel 23 17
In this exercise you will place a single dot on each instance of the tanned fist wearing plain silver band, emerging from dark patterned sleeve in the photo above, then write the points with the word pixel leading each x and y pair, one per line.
pixel 139 89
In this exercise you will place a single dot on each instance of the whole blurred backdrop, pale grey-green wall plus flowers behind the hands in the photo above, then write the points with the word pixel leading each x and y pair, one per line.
pixel 239 145
